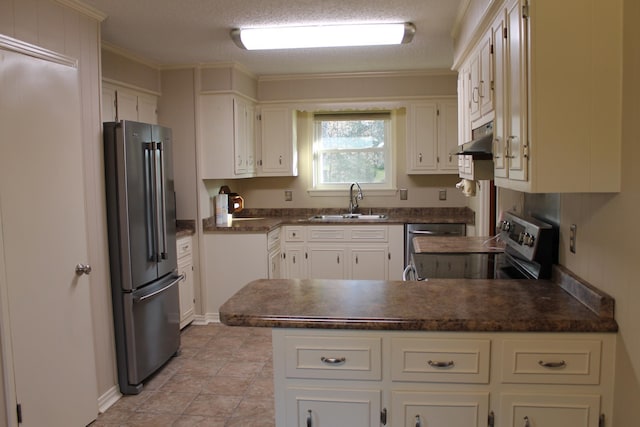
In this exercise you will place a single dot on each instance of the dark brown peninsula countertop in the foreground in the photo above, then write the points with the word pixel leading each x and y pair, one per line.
pixel 436 305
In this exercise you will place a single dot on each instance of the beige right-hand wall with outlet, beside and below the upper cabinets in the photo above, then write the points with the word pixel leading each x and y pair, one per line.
pixel 608 234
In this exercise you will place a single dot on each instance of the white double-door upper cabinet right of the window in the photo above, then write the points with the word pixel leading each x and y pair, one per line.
pixel 432 133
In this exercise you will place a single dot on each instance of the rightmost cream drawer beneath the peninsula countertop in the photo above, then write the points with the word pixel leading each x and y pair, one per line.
pixel 551 361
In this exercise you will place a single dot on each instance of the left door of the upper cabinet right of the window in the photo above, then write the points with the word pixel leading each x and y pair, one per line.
pixel 422 137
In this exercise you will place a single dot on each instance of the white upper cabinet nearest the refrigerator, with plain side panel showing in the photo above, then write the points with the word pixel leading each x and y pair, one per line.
pixel 226 137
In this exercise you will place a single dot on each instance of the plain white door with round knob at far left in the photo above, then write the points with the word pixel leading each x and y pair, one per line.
pixel 46 321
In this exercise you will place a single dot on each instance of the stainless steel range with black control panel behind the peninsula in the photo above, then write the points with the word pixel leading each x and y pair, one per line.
pixel 530 250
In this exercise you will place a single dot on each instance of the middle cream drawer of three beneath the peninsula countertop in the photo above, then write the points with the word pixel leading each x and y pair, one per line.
pixel 440 360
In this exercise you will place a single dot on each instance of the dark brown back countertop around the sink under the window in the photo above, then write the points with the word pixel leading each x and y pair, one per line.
pixel 265 220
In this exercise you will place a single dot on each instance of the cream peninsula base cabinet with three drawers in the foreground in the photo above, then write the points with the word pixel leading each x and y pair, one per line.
pixel 375 378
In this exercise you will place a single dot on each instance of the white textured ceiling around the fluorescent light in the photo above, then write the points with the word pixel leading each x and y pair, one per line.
pixel 179 32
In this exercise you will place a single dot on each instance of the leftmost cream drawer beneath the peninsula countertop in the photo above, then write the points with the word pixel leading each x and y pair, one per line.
pixel 333 357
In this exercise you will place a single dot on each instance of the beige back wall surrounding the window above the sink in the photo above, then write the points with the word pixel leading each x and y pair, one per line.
pixel 306 92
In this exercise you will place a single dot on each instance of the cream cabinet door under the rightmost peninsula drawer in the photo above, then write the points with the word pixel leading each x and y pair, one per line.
pixel 548 410
